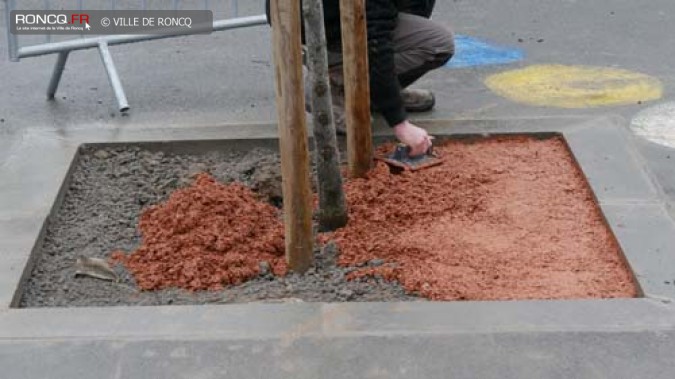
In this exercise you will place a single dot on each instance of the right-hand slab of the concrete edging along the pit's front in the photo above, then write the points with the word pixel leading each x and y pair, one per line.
pixel 499 316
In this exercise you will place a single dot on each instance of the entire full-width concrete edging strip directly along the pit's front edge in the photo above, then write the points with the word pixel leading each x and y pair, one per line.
pixel 289 322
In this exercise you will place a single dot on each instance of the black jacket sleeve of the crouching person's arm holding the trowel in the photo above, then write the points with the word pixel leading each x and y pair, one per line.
pixel 385 90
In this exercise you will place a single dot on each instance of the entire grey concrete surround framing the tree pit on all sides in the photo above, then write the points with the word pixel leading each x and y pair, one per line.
pixel 623 338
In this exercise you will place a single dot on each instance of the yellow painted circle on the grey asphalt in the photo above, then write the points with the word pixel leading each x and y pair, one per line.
pixel 575 86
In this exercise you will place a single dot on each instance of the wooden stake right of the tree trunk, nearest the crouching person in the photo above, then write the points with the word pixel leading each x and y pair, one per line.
pixel 357 90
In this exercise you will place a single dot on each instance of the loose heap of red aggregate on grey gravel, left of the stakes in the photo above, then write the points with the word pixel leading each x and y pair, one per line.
pixel 206 236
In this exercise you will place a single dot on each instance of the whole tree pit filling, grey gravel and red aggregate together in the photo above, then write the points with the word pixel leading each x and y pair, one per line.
pixel 504 218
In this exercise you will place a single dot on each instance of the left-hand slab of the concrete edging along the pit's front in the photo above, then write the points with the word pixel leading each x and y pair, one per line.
pixel 235 321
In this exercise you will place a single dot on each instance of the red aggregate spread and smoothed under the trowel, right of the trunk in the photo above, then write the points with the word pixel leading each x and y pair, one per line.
pixel 501 219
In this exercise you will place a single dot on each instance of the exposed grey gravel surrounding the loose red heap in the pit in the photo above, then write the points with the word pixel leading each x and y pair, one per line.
pixel 99 214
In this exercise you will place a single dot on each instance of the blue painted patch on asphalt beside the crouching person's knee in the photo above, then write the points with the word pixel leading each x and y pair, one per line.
pixel 471 52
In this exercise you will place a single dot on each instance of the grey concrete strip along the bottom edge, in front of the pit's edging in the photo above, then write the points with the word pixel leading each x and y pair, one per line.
pixel 492 355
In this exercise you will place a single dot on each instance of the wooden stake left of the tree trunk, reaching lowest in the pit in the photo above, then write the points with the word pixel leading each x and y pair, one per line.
pixel 286 41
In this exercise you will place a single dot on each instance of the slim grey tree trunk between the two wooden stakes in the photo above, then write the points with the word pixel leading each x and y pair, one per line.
pixel 332 208
